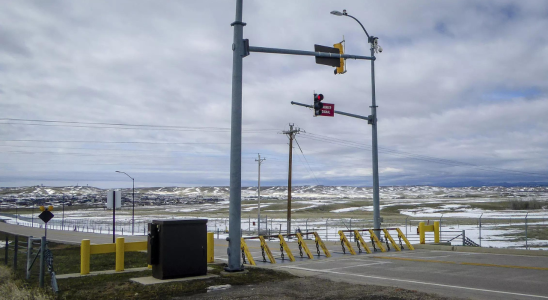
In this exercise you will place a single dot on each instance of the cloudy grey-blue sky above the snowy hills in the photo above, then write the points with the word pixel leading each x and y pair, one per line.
pixel 91 87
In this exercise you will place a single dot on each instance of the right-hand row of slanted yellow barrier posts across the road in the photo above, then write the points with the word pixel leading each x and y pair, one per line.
pixel 375 242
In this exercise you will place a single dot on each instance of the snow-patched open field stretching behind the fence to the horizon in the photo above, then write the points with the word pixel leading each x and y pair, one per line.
pixel 486 212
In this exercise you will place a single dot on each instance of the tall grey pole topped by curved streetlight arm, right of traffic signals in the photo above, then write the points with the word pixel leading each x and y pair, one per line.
pixel 373 121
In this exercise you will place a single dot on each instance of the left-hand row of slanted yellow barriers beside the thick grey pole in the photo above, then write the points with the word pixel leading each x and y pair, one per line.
pixel 265 250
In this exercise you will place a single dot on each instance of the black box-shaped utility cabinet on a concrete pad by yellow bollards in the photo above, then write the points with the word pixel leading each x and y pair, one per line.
pixel 177 248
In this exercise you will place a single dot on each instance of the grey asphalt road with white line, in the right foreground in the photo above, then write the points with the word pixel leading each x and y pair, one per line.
pixel 447 273
